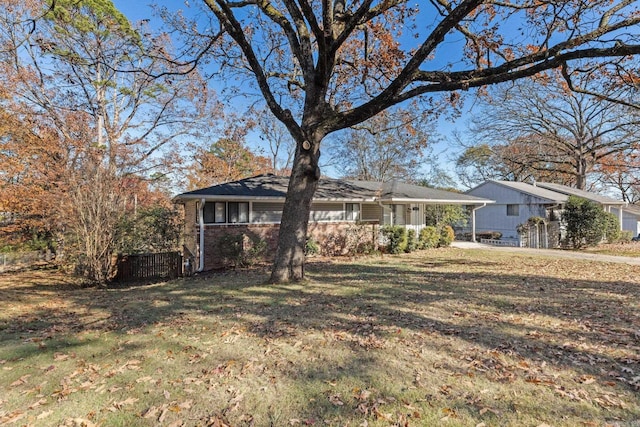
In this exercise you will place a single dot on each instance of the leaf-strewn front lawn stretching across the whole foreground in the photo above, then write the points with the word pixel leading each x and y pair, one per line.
pixel 438 337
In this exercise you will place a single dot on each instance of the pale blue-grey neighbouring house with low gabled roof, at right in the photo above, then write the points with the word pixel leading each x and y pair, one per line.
pixel 516 202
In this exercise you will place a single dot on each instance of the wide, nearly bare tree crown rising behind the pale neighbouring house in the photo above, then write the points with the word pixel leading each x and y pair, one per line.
pixel 541 130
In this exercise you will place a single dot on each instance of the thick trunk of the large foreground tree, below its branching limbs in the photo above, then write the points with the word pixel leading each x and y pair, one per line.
pixel 289 261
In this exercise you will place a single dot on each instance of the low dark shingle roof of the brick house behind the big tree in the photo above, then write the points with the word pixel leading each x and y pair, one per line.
pixel 275 187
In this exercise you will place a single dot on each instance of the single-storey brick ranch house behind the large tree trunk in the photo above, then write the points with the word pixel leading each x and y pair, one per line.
pixel 252 207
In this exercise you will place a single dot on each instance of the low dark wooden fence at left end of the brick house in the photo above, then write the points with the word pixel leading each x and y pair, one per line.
pixel 166 265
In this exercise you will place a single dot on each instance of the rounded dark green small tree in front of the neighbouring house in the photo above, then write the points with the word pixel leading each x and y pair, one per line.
pixel 585 221
